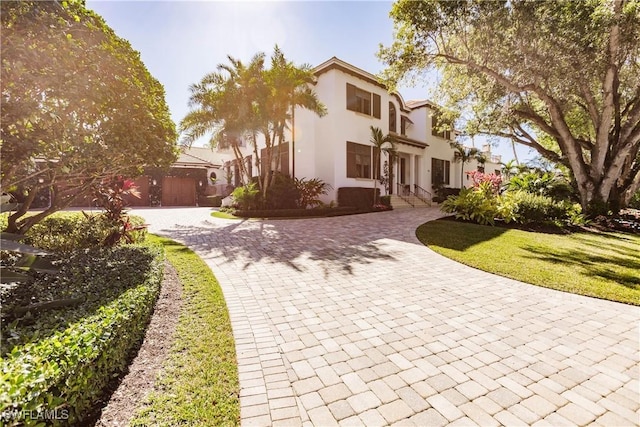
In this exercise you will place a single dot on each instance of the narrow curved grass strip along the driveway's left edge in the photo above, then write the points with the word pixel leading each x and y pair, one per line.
pixel 199 385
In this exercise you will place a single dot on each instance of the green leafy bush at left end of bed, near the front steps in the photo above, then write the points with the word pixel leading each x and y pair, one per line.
pixel 472 205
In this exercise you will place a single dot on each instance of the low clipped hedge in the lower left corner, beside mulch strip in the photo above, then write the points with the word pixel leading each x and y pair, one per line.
pixel 61 364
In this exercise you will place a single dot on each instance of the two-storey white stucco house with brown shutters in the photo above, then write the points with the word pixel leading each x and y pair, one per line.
pixel 336 148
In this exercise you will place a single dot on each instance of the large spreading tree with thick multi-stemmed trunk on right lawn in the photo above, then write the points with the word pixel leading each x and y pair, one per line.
pixel 562 77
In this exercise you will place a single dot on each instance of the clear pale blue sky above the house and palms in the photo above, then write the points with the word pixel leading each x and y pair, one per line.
pixel 181 41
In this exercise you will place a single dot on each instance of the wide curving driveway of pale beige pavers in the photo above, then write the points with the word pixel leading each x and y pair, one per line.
pixel 351 321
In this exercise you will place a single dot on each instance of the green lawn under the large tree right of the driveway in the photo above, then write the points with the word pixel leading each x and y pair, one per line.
pixel 602 265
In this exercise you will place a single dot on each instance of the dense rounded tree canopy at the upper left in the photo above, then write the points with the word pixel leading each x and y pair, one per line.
pixel 78 105
